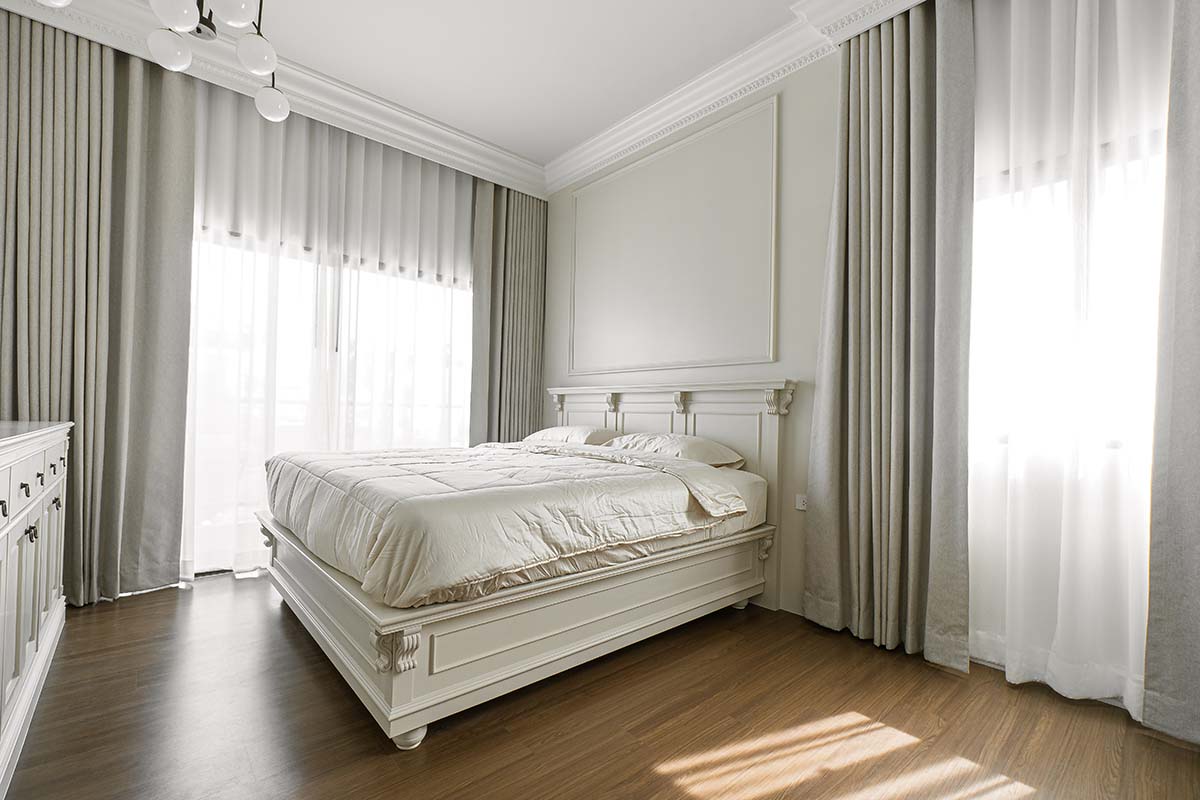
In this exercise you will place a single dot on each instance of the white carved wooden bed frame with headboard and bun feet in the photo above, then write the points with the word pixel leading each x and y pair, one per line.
pixel 415 666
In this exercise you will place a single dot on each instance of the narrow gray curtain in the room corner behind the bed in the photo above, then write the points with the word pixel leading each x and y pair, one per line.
pixel 509 285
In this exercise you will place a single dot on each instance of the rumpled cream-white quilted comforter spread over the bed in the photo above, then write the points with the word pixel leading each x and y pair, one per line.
pixel 421 527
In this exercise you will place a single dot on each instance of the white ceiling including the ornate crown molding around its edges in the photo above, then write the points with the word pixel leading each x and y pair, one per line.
pixel 535 95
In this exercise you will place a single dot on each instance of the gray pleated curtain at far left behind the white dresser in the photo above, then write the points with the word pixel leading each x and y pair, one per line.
pixel 95 296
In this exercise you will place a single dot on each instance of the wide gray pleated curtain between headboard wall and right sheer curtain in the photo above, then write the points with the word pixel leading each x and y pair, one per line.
pixel 887 532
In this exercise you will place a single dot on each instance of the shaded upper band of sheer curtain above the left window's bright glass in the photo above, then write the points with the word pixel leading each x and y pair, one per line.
pixel 316 193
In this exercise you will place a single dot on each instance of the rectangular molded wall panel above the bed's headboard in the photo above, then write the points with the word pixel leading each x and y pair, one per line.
pixel 667 245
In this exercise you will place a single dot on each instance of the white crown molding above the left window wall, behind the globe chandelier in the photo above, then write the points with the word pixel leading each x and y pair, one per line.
pixel 124 26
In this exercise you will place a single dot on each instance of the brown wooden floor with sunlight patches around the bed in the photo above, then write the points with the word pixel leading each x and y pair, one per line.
pixel 219 694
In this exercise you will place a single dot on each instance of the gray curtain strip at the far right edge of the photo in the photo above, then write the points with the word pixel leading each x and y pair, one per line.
pixel 1173 633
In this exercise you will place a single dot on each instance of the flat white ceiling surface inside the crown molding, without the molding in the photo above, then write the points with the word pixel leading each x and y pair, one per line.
pixel 536 77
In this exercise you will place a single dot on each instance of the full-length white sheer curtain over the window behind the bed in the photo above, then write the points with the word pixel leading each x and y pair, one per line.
pixel 332 310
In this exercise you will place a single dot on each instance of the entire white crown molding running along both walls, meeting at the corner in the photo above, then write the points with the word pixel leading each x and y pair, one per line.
pixel 820 26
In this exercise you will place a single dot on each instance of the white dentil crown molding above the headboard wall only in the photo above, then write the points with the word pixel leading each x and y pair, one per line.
pixel 819 28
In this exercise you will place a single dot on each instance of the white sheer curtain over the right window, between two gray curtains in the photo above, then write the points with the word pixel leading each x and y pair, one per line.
pixel 1071 125
